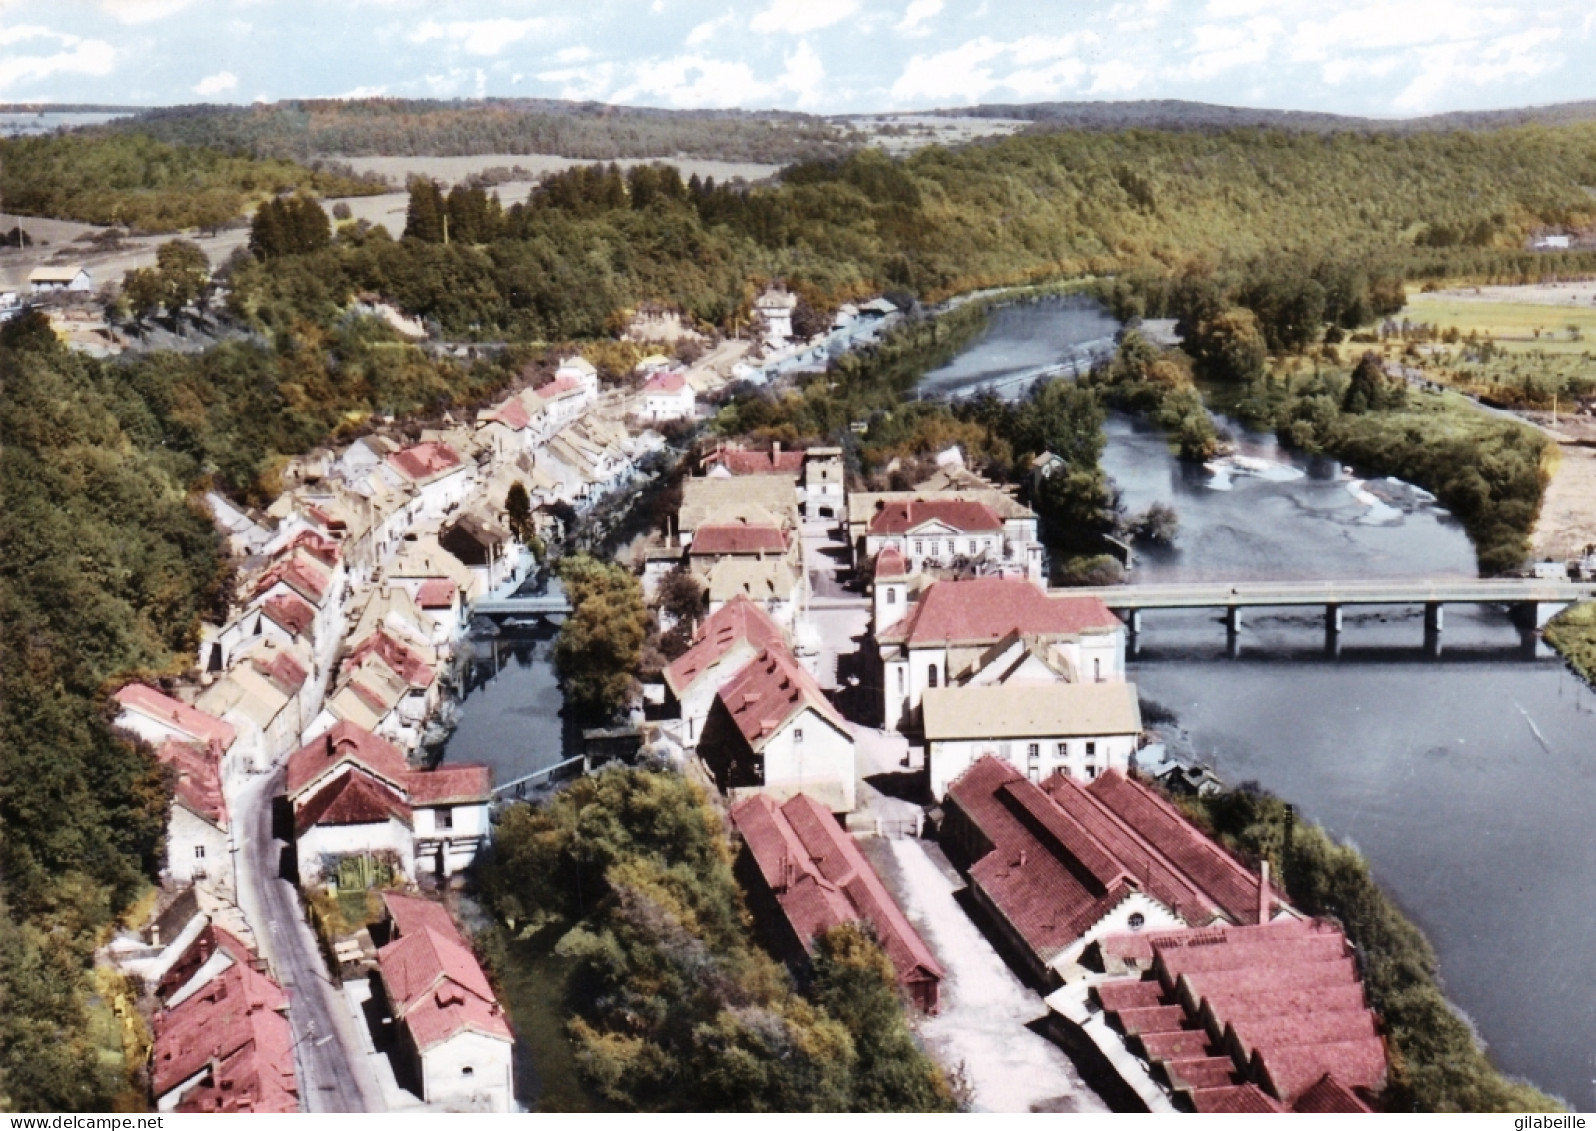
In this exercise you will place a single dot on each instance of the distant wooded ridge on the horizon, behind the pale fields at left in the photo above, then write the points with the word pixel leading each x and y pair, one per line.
pixel 309 130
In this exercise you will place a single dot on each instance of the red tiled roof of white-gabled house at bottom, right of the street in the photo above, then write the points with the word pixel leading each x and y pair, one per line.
pixel 438 990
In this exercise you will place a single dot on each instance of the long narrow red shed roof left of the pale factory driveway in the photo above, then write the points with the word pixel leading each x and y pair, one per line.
pixel 823 881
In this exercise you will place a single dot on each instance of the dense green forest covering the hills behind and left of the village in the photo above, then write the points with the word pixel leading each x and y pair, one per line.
pixel 1262 243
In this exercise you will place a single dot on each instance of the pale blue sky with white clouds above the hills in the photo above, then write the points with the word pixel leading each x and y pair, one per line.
pixel 831 57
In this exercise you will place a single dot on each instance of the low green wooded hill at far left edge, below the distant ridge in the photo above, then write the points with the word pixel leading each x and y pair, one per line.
pixel 149 186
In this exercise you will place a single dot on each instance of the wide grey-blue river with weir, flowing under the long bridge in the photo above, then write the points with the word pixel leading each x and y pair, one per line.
pixel 1466 778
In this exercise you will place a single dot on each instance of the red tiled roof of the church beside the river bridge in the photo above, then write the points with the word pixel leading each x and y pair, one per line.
pixel 986 610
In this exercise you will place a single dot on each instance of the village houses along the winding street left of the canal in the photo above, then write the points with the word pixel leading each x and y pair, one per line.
pixel 355 589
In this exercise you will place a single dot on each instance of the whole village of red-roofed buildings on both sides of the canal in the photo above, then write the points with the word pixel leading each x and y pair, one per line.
pixel 866 666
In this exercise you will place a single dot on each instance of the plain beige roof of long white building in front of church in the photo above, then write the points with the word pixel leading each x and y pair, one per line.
pixel 1032 711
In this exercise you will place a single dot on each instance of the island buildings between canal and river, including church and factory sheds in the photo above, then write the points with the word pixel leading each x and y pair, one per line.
pixel 1182 975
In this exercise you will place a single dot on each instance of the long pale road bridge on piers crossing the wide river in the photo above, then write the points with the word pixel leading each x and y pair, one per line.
pixel 1531 601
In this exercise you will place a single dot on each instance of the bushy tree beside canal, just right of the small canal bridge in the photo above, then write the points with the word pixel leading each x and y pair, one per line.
pixel 601 645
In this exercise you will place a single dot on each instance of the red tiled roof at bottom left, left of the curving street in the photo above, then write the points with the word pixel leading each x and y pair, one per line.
pixel 237 1012
